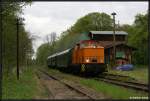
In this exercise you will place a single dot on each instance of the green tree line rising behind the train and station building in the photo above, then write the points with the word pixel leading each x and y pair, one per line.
pixel 137 35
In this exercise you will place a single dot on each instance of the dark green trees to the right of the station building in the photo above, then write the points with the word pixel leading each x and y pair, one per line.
pixel 138 37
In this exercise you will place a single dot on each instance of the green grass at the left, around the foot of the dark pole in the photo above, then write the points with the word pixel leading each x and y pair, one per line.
pixel 24 88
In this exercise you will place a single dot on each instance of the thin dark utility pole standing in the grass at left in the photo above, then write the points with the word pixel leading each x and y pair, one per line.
pixel 17 24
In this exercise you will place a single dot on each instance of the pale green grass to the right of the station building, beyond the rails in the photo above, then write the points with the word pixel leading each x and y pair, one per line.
pixel 140 73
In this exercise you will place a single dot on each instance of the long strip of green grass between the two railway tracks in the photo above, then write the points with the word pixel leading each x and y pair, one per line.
pixel 110 90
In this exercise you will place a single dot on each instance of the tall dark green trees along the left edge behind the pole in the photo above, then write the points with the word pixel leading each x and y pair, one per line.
pixel 11 11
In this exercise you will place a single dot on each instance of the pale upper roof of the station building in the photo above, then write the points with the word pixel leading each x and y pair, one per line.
pixel 109 32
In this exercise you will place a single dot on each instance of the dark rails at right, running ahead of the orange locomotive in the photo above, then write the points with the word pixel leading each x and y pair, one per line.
pixel 124 81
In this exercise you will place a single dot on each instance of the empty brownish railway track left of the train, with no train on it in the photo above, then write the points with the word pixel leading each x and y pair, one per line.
pixel 68 92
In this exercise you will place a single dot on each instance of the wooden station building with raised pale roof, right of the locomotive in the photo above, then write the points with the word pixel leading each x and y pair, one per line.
pixel 123 51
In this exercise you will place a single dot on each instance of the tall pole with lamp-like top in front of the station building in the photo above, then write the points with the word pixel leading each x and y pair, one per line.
pixel 114 39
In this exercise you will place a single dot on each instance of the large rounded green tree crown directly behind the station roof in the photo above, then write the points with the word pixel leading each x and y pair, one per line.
pixel 92 21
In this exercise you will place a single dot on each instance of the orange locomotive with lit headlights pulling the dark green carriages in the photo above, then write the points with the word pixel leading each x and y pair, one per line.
pixel 89 56
